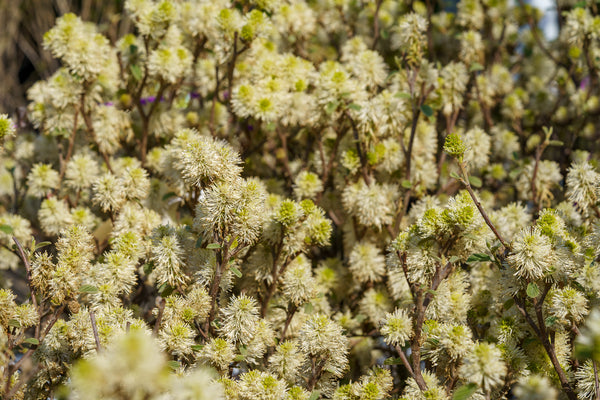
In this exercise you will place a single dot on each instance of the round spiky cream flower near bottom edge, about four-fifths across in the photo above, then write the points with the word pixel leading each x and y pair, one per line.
pixel 484 366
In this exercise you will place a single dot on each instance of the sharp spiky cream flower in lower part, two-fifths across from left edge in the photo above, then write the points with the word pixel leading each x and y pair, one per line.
pixel 240 319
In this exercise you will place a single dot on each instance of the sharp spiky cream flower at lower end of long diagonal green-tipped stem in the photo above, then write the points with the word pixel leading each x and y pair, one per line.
pixel 532 254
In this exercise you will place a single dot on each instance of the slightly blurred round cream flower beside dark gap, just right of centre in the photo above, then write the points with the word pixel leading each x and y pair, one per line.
pixel 366 263
